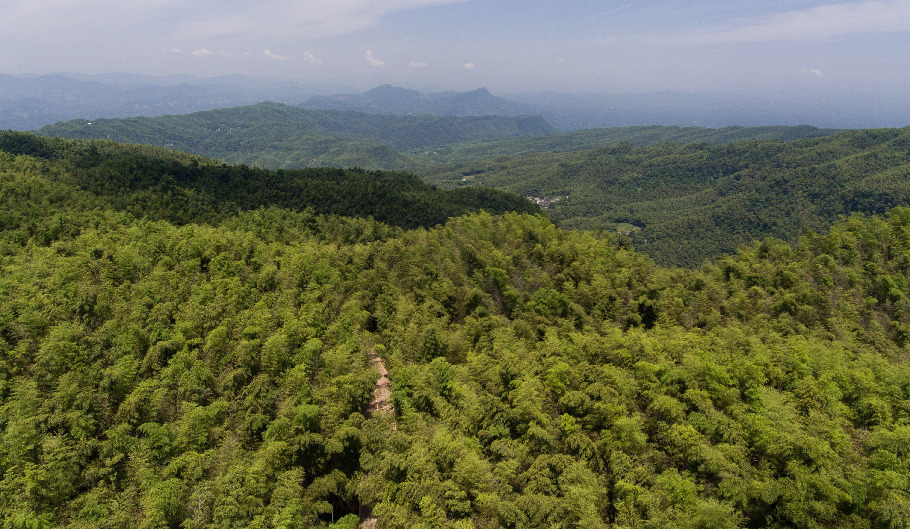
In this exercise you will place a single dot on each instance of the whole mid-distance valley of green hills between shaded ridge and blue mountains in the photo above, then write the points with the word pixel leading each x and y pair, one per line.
pixel 694 193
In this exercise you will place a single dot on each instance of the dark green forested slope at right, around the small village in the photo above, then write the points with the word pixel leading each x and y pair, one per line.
pixel 682 204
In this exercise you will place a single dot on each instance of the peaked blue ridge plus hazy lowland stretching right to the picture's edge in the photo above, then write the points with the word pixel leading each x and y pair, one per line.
pixel 569 112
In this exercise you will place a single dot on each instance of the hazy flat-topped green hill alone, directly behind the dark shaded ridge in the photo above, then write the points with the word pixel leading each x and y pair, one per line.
pixel 276 136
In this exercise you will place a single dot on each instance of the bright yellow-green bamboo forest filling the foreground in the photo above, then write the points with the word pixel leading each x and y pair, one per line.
pixel 214 373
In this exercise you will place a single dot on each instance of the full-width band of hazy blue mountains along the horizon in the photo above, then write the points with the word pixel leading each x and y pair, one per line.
pixel 31 102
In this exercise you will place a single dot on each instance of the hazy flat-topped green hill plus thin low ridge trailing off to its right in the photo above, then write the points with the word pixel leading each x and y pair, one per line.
pixel 275 136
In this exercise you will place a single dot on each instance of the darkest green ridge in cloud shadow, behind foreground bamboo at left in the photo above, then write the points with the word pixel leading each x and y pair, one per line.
pixel 156 183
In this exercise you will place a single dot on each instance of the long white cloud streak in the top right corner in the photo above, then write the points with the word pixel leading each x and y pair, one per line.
pixel 825 21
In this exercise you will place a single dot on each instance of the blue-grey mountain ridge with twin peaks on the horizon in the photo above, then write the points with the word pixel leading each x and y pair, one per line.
pixel 388 99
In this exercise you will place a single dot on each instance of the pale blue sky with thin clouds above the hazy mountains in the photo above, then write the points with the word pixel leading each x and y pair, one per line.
pixel 804 48
